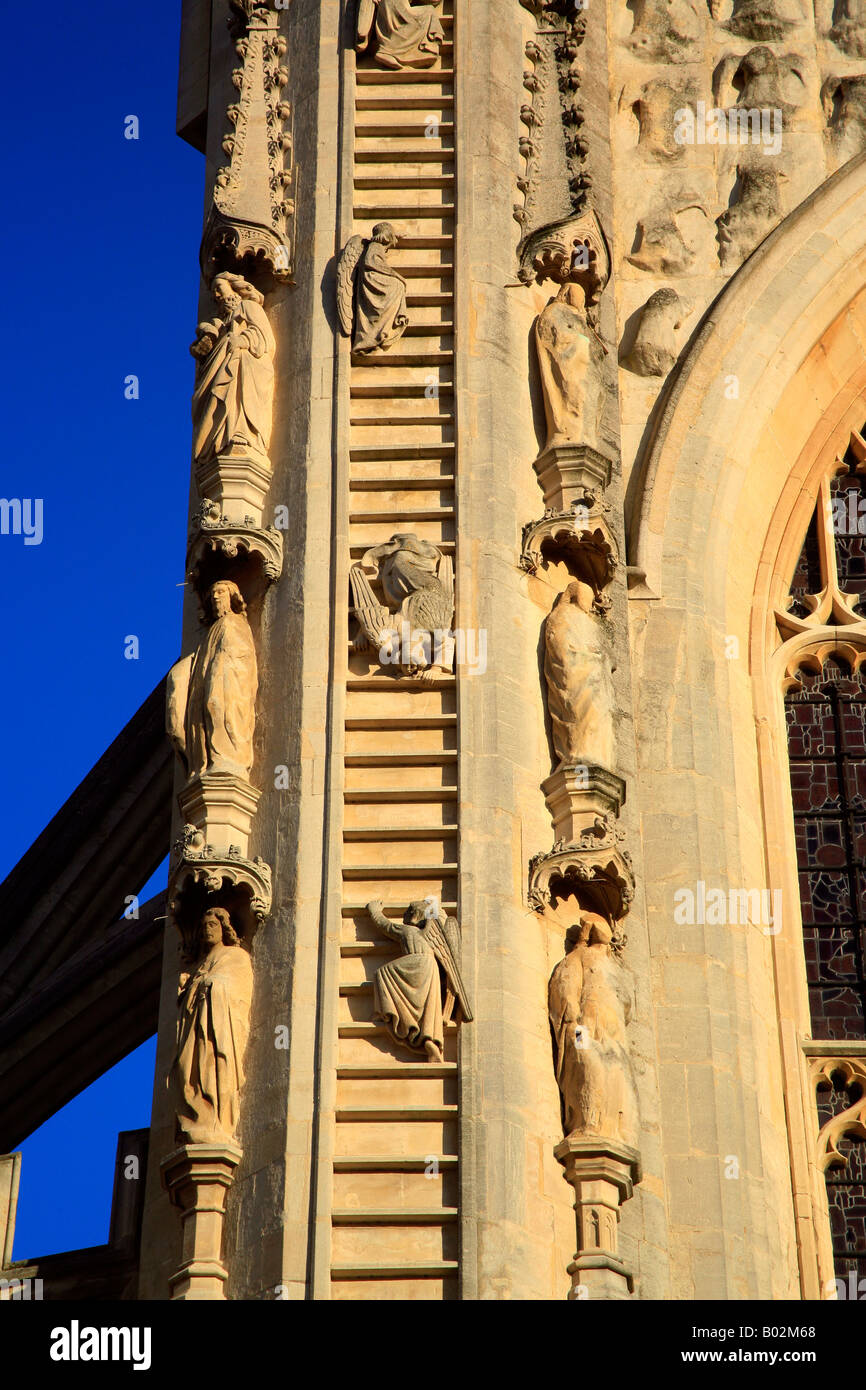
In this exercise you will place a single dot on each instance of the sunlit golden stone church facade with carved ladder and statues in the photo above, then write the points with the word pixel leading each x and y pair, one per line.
pixel 532 337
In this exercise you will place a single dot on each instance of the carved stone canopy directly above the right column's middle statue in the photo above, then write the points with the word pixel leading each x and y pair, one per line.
pixel 582 539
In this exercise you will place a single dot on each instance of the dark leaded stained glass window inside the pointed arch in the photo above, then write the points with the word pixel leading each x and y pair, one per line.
pixel 826 721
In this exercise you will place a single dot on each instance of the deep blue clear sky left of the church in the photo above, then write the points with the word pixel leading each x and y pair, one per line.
pixel 102 238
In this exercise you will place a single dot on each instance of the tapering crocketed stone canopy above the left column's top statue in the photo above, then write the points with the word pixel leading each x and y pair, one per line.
pixel 251 227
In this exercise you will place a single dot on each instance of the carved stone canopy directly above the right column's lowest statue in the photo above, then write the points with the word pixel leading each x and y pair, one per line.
pixel 596 868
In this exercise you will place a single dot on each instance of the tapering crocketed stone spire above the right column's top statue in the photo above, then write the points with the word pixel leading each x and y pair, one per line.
pixel 555 179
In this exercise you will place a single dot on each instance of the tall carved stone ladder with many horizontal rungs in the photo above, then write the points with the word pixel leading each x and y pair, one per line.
pixel 395 1163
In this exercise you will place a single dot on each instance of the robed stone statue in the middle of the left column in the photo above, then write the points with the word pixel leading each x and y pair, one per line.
pixel 212 694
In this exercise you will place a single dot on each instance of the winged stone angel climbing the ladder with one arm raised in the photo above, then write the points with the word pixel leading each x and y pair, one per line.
pixel 416 996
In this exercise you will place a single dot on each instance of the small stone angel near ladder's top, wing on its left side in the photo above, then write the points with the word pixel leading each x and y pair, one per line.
pixel 370 293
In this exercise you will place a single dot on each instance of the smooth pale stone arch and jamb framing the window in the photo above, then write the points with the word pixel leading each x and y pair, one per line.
pixel 721 482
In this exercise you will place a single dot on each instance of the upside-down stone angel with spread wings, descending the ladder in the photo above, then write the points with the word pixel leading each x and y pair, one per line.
pixel 414 632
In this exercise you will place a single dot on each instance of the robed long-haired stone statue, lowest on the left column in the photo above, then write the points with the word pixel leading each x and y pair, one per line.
pixel 215 1013
